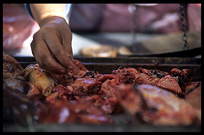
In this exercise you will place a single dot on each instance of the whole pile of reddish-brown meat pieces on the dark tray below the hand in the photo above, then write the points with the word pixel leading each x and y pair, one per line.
pixel 147 96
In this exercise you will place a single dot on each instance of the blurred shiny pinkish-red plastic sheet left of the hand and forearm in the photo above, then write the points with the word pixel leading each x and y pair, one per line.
pixel 17 27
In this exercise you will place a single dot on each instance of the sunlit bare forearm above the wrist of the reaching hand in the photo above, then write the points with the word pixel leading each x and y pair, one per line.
pixel 42 11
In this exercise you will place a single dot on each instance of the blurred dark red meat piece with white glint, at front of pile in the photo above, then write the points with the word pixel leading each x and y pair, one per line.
pixel 75 112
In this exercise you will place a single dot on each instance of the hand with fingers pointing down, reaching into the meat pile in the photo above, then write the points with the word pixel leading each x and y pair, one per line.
pixel 51 45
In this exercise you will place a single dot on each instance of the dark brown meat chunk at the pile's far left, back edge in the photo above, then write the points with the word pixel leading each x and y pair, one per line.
pixel 11 67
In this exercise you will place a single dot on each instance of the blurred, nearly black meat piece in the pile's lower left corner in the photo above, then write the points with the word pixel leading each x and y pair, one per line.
pixel 17 107
